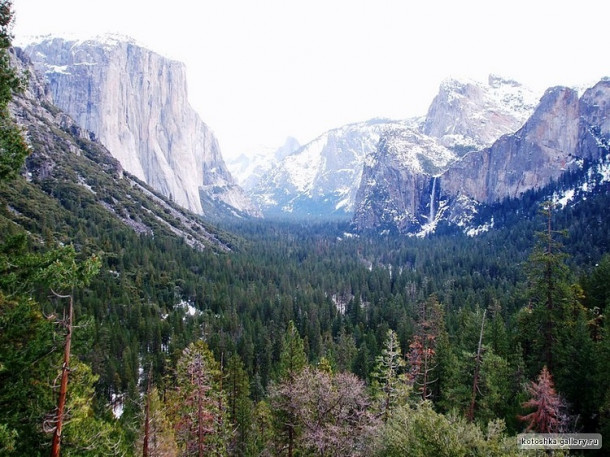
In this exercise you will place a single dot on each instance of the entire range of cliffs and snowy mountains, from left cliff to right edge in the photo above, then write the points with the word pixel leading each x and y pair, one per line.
pixel 479 143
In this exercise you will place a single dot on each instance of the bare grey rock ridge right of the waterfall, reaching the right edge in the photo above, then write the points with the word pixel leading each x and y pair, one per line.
pixel 562 131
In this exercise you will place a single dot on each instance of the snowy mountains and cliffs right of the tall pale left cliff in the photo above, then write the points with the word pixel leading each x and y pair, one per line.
pixel 478 144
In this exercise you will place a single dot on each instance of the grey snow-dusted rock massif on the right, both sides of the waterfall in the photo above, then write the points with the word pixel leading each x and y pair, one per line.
pixel 407 185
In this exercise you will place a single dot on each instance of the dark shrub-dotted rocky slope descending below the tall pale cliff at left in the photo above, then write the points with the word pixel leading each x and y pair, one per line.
pixel 69 165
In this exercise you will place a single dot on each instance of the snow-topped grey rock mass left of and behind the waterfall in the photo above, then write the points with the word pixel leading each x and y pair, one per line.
pixel 400 187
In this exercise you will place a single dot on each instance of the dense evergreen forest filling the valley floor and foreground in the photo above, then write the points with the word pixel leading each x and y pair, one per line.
pixel 293 339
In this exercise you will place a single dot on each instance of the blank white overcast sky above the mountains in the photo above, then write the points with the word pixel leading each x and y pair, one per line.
pixel 260 70
